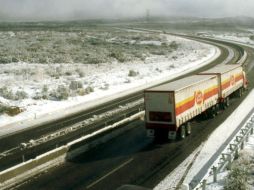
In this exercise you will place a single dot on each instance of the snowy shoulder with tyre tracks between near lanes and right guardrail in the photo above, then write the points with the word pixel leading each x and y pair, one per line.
pixel 202 158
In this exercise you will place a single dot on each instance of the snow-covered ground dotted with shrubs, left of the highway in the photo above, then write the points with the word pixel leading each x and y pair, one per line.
pixel 97 80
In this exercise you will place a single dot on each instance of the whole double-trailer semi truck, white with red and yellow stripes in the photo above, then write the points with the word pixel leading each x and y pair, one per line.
pixel 170 107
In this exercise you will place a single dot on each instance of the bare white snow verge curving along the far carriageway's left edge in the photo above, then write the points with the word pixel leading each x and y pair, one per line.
pixel 109 82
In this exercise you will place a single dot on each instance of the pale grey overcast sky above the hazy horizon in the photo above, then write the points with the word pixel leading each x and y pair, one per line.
pixel 90 9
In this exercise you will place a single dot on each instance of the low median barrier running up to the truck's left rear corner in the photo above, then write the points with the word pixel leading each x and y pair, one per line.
pixel 32 167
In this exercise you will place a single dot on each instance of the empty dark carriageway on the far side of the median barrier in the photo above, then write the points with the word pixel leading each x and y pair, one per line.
pixel 13 141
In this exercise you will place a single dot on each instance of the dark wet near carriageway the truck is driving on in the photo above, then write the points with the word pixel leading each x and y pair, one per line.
pixel 132 158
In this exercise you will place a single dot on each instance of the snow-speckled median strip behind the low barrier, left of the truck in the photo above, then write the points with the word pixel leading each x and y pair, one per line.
pixel 75 131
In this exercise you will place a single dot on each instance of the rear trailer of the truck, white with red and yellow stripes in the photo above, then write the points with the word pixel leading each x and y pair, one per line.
pixel 170 107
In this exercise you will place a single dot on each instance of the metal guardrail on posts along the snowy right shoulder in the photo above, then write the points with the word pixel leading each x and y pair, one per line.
pixel 231 151
